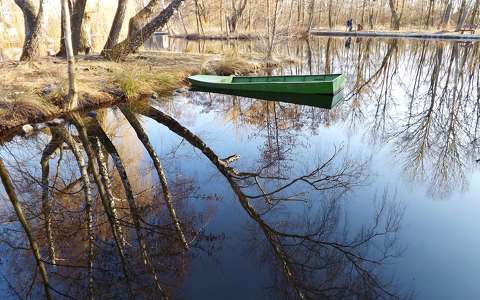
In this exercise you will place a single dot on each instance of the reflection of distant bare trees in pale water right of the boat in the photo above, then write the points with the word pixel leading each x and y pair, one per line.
pixel 421 96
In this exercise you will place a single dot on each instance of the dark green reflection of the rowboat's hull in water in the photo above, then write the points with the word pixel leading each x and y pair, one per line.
pixel 315 100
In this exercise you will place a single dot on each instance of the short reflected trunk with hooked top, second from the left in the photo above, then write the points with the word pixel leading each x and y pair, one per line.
pixel 46 205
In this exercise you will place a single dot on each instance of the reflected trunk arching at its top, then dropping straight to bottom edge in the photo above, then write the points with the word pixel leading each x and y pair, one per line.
pixel 88 201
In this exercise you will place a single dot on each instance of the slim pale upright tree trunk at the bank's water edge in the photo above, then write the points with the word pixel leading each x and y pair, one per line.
pixel 72 98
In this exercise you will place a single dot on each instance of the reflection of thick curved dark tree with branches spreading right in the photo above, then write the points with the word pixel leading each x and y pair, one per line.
pixel 317 260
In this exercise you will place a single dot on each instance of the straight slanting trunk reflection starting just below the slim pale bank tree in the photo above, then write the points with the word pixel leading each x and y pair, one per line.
pixel 82 132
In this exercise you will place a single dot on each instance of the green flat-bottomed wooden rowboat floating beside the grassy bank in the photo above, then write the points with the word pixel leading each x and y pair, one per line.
pixel 297 84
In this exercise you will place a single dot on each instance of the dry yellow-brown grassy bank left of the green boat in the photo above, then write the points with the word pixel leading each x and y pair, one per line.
pixel 35 91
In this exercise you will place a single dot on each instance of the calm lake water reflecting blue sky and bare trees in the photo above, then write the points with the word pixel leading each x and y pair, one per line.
pixel 375 198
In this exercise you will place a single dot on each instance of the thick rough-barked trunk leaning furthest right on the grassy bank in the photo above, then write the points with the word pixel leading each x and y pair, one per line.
pixel 136 39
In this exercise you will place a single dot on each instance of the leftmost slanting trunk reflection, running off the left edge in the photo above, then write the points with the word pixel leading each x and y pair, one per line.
pixel 8 185
